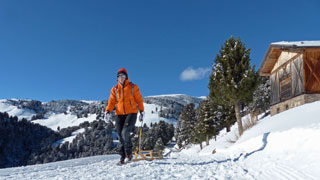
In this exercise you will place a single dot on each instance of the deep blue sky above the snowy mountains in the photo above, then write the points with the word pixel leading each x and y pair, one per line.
pixel 72 49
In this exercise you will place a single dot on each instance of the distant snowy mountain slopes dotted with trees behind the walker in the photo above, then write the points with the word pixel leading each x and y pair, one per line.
pixel 66 113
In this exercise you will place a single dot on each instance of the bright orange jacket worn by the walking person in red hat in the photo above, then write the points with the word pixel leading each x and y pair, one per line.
pixel 125 102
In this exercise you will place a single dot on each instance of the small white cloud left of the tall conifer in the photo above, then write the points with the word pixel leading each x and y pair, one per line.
pixel 191 74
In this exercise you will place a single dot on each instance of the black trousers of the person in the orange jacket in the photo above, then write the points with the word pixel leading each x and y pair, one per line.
pixel 124 125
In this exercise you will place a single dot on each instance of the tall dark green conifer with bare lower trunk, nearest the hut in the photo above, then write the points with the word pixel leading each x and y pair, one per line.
pixel 233 80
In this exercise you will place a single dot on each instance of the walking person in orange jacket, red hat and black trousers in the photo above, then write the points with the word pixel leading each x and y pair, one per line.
pixel 128 100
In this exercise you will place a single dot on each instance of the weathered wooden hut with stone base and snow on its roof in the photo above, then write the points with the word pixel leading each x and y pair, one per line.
pixel 294 70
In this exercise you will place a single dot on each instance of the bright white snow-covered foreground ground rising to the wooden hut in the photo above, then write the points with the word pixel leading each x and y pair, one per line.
pixel 284 146
